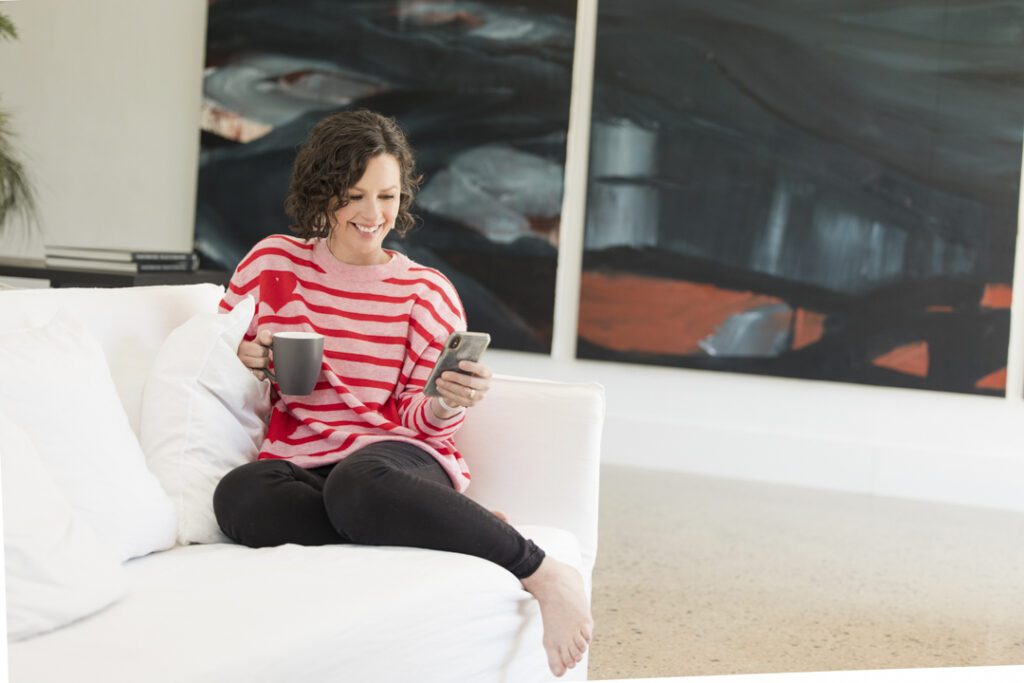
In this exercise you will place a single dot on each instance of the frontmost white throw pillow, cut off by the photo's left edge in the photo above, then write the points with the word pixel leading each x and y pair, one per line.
pixel 57 570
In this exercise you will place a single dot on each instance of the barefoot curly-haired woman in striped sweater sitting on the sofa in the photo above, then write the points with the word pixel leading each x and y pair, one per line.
pixel 368 458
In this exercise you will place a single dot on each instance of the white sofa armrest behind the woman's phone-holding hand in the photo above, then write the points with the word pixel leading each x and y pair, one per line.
pixel 534 450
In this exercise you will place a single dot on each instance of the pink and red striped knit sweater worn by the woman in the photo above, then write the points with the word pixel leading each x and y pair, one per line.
pixel 385 328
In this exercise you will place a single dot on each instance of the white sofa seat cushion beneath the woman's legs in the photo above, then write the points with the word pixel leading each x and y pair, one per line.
pixel 219 614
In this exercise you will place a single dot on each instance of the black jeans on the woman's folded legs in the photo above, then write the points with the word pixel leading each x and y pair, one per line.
pixel 388 494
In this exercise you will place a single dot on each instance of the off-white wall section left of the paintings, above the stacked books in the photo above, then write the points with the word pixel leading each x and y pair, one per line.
pixel 105 98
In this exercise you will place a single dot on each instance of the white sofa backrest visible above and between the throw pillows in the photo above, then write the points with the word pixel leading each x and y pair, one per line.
pixel 131 325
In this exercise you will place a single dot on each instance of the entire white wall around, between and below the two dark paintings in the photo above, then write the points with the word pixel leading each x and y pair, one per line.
pixel 107 97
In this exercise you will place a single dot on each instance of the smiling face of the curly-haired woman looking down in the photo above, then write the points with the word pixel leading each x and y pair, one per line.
pixel 361 226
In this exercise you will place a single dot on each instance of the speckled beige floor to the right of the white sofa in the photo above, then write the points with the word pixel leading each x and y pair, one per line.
pixel 702 576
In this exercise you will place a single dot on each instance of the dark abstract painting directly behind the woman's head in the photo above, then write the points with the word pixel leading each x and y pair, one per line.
pixel 481 89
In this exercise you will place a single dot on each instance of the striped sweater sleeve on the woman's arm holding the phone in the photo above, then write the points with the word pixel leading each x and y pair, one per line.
pixel 434 320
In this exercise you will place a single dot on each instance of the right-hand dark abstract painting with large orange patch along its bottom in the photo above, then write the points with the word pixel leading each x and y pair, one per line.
pixel 809 190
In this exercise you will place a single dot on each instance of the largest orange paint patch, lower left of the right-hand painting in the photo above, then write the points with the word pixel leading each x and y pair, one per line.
pixel 657 316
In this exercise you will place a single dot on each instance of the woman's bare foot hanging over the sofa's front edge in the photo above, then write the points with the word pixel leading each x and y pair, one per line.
pixel 569 626
